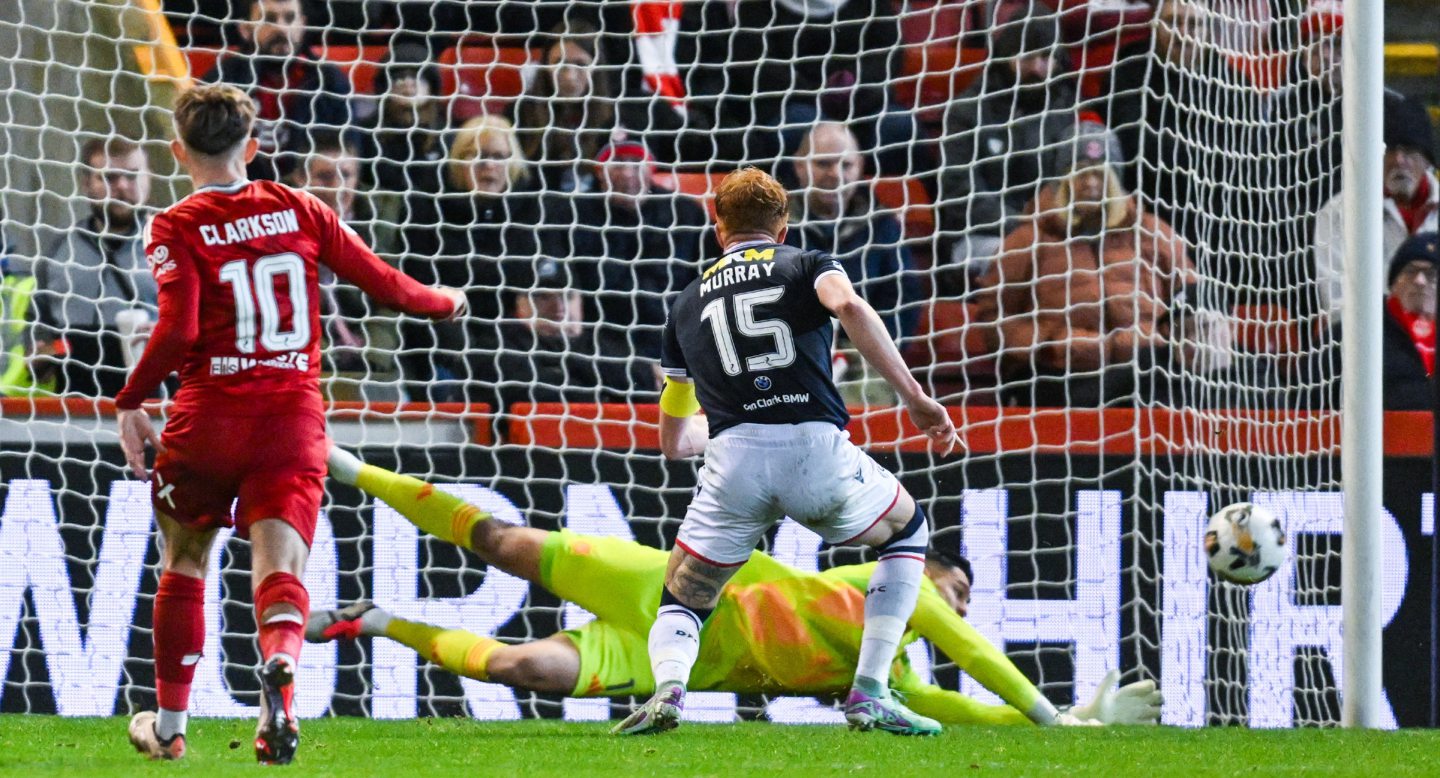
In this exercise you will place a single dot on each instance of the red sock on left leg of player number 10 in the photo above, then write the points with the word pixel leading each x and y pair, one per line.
pixel 179 638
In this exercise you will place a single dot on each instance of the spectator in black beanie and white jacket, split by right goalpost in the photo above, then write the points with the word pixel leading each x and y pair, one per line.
pixel 1412 197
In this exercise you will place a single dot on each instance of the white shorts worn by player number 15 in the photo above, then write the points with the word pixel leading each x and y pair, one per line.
pixel 757 475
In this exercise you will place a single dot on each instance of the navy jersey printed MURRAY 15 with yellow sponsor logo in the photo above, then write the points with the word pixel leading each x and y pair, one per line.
pixel 755 339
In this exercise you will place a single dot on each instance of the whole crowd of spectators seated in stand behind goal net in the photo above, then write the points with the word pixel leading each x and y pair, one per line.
pixel 1105 227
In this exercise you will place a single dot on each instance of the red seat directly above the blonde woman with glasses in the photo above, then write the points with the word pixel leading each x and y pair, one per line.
pixel 483 79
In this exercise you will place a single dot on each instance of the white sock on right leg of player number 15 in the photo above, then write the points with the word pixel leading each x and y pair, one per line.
pixel 891 600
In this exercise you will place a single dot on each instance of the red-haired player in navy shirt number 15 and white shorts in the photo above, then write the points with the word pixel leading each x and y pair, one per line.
pixel 750 342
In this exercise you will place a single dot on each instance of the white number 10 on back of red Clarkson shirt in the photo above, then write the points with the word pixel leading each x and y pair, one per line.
pixel 261 295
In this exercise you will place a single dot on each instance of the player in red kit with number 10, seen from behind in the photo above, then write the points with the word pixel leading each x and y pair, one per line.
pixel 240 319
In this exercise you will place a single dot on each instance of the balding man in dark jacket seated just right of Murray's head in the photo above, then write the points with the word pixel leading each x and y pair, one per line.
pixel 833 213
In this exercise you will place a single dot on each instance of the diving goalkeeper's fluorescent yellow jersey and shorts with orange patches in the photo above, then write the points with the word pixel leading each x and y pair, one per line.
pixel 777 630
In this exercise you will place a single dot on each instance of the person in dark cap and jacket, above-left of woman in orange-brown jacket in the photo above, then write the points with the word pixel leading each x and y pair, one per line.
pixel 997 136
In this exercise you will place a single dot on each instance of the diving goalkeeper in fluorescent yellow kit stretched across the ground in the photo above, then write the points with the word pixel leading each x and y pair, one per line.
pixel 777 630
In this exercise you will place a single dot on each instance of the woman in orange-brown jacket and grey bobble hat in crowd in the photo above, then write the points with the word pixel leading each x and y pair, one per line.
pixel 1081 286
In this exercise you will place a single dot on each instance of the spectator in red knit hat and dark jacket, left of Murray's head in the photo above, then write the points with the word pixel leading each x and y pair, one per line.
pixel 629 247
